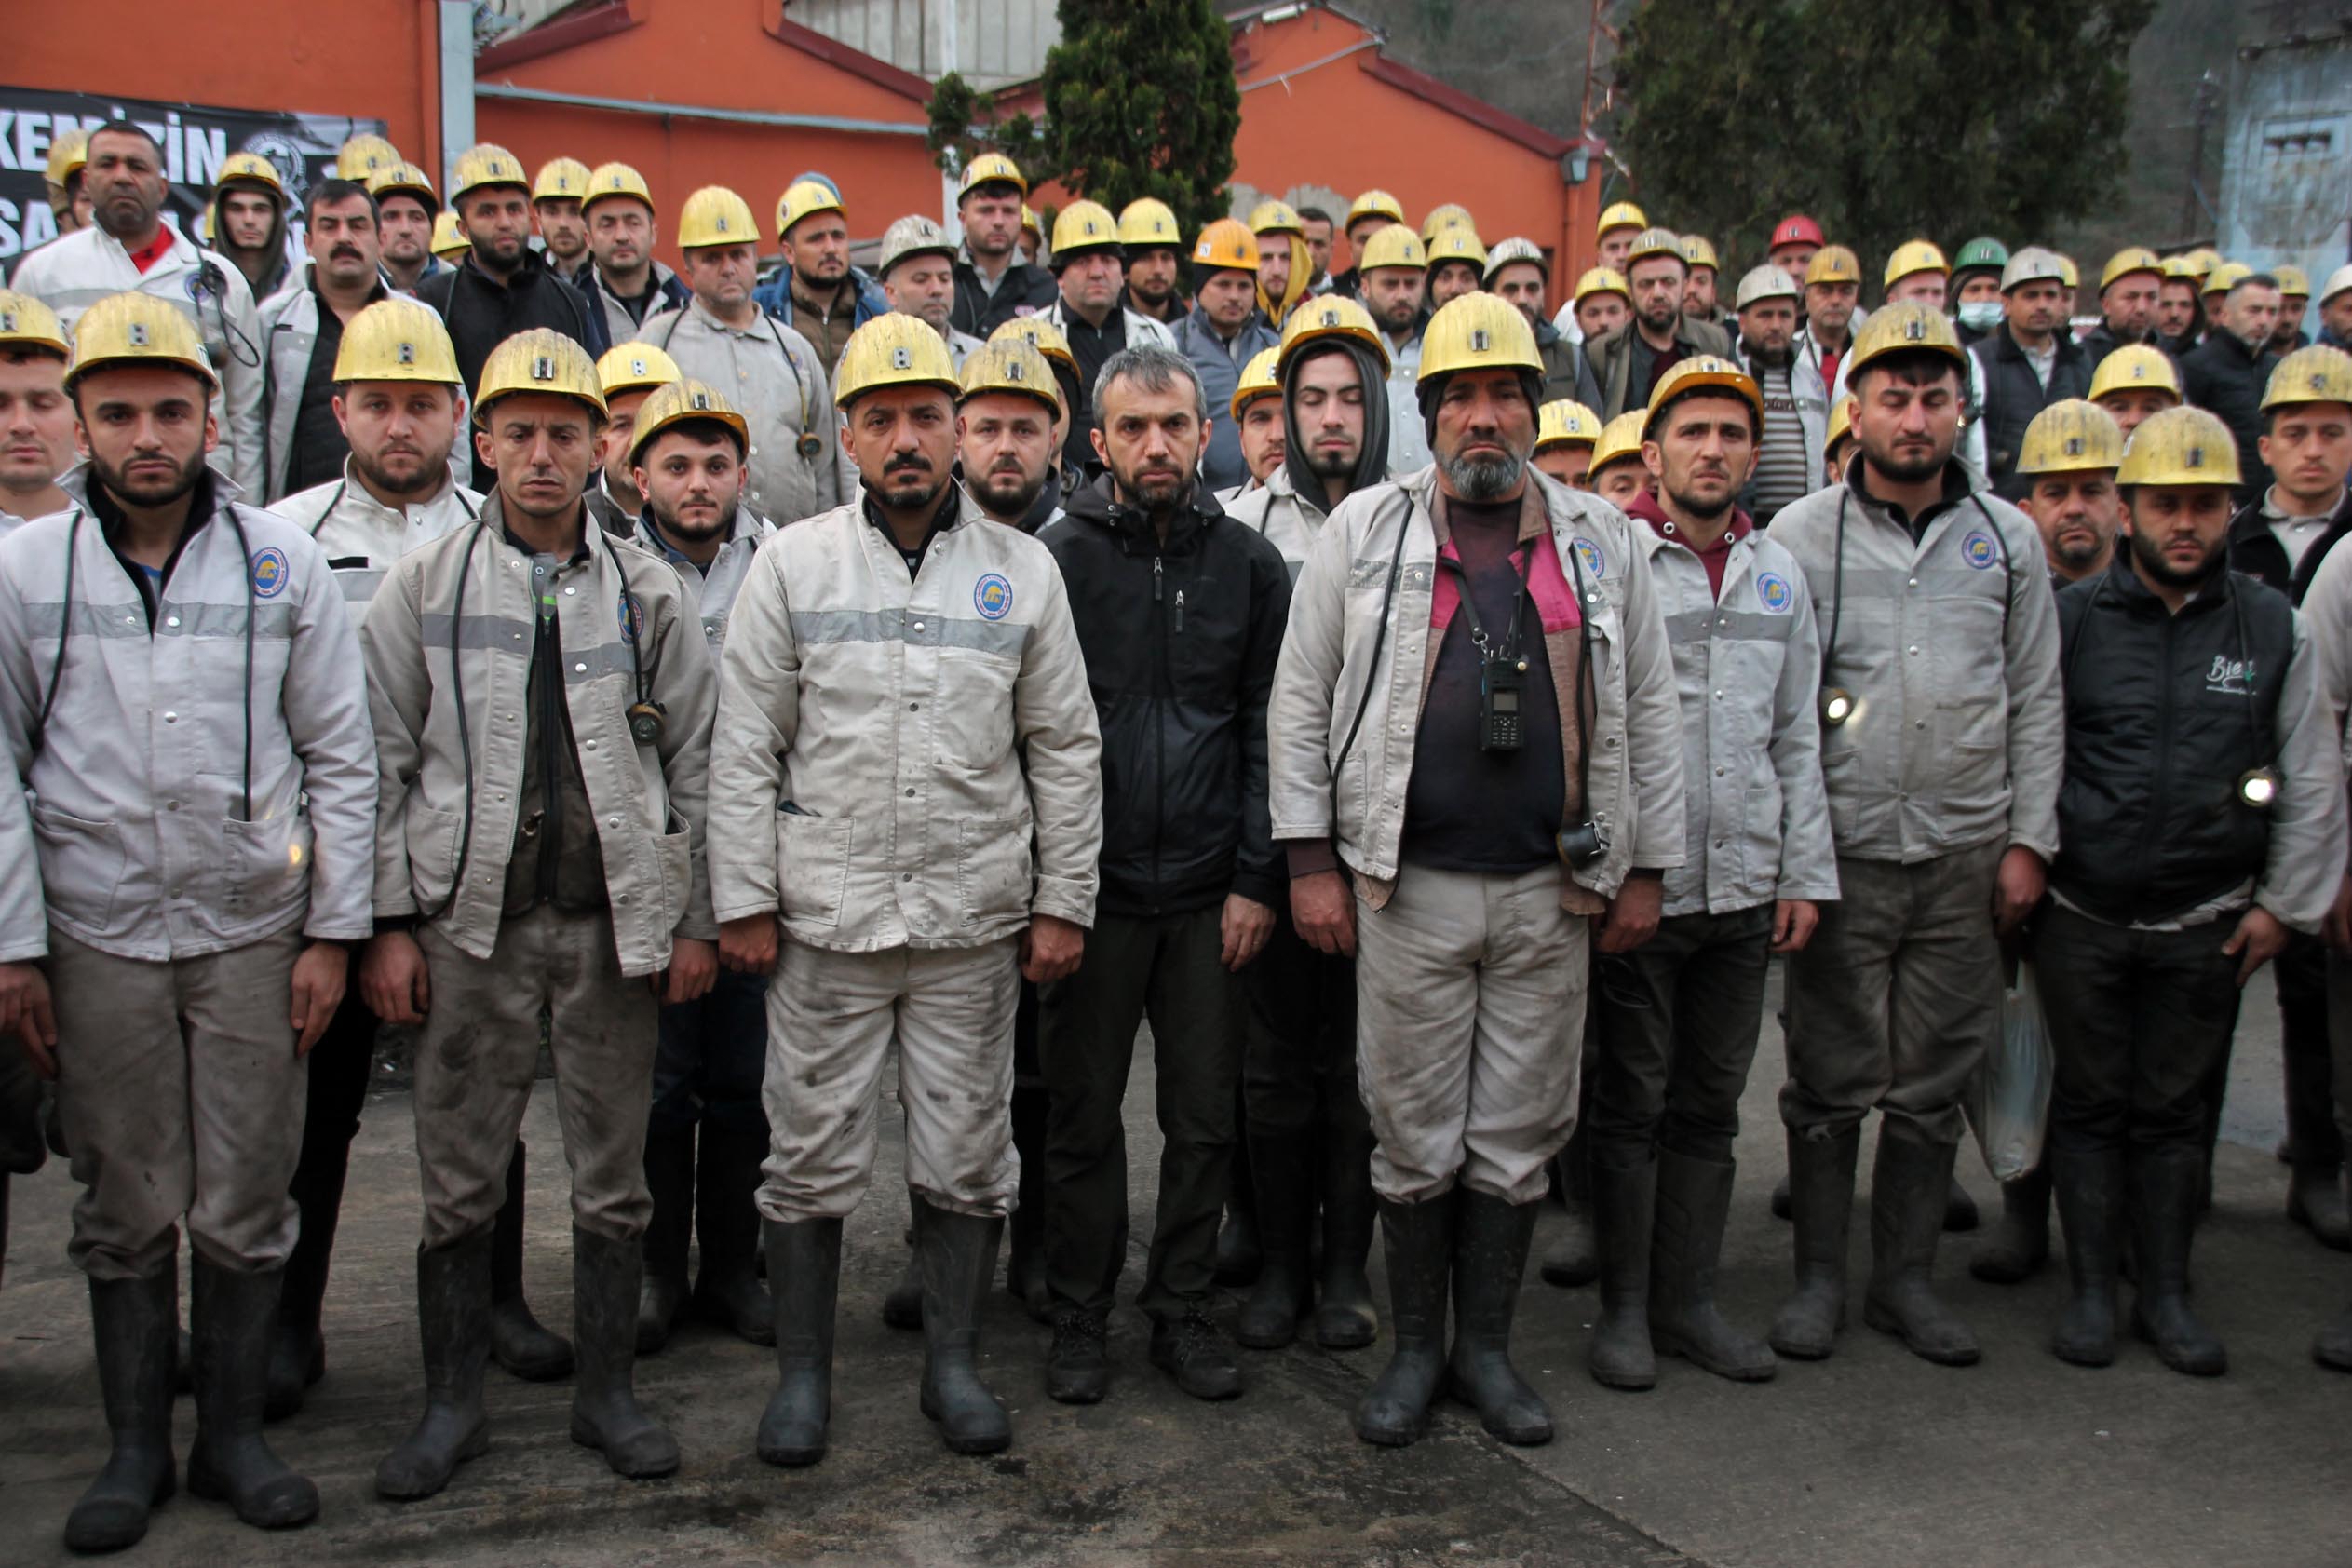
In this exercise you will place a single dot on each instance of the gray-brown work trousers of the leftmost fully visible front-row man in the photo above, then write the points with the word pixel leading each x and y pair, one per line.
pixel 182 1097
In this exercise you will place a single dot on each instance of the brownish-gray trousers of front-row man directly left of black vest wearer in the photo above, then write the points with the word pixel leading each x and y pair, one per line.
pixel 1897 998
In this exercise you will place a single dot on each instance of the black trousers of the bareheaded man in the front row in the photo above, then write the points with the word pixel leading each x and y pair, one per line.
pixel 1140 967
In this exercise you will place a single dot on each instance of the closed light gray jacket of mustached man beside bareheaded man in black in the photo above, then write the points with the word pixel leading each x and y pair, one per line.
pixel 888 749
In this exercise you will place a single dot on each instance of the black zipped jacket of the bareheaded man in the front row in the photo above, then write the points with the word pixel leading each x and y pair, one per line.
pixel 1182 648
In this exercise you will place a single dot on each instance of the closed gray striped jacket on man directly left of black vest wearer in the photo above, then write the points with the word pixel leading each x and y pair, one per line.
pixel 1951 655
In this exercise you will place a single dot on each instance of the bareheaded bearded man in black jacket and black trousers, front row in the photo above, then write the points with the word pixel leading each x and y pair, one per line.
pixel 1182 615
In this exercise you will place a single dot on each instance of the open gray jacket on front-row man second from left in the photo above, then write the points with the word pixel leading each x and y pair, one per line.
pixel 648 800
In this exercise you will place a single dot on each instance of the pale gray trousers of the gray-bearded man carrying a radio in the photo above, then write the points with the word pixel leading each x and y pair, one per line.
pixel 1471 1021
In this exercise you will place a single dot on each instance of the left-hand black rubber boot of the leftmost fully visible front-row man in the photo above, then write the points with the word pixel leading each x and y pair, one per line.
pixel 133 1325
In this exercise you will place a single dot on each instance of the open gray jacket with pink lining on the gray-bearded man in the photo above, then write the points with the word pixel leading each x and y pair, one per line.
pixel 1328 678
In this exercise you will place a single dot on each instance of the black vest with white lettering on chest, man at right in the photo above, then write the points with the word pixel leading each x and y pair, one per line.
pixel 2163 718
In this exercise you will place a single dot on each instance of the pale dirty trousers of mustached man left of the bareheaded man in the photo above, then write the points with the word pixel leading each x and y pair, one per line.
pixel 831 1021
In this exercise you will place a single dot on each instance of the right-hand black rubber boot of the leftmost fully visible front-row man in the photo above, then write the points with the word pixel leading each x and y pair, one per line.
pixel 232 1320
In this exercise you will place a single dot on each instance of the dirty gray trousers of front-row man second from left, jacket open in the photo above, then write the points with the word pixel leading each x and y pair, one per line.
pixel 481 1050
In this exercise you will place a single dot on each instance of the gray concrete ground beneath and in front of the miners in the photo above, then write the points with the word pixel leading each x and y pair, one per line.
pixel 1869 1459
